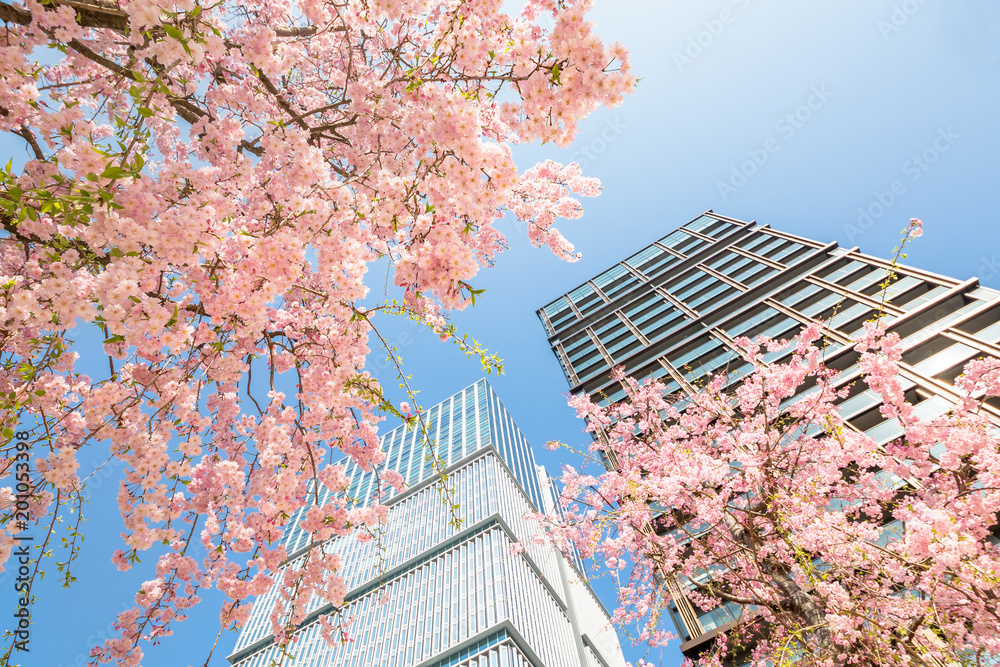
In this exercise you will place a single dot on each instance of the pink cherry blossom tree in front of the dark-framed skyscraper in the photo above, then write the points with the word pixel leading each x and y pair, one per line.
pixel 764 498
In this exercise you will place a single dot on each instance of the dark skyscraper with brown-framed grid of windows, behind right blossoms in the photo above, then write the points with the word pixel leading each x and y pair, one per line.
pixel 673 309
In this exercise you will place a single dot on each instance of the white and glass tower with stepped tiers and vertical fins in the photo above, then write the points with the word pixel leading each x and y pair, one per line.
pixel 457 597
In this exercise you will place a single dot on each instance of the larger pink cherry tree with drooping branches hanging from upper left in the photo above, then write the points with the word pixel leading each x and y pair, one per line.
pixel 207 182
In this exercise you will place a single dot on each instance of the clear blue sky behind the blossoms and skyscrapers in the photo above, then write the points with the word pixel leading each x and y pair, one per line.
pixel 837 121
